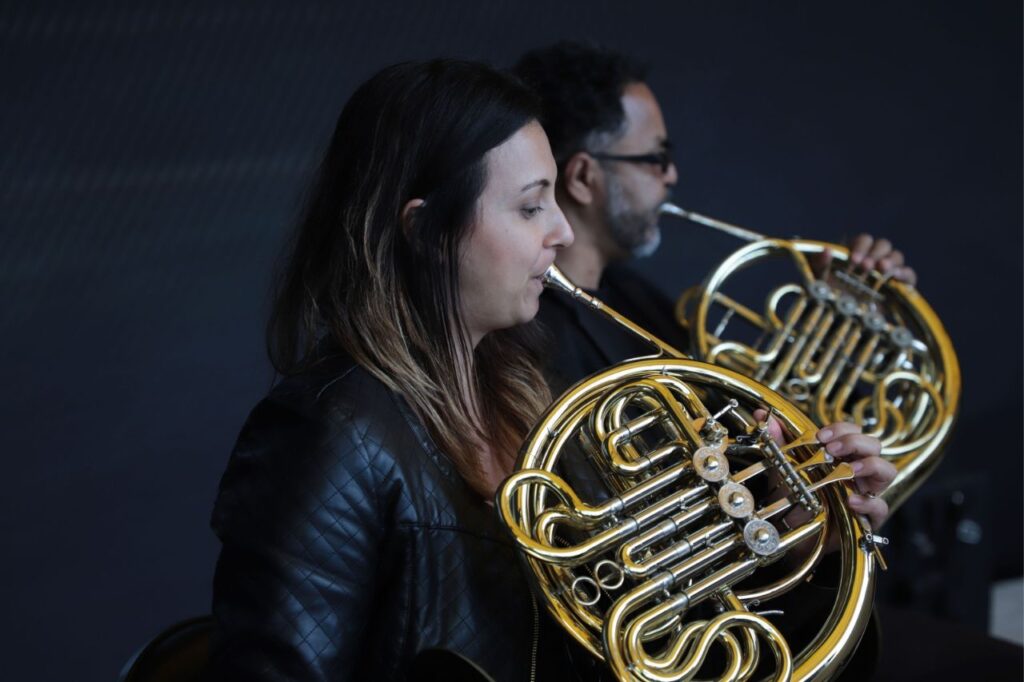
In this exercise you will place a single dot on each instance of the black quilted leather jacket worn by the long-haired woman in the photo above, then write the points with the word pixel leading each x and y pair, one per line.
pixel 352 545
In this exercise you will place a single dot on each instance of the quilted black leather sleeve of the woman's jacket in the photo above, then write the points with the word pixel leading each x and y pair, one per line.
pixel 303 525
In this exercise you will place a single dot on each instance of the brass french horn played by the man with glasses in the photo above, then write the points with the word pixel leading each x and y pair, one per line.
pixel 842 346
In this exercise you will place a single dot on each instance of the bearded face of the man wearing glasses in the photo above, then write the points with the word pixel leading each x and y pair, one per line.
pixel 634 191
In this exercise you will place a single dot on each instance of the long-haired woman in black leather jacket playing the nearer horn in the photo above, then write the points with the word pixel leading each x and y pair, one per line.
pixel 355 514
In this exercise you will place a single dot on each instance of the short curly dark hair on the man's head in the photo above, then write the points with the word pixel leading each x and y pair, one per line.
pixel 581 87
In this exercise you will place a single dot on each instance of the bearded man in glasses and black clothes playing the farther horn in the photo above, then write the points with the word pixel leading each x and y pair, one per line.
pixel 613 150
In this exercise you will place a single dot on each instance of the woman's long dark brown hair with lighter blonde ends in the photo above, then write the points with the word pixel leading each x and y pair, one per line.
pixel 391 296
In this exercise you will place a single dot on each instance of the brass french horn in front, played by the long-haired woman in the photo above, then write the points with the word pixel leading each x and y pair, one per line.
pixel 661 520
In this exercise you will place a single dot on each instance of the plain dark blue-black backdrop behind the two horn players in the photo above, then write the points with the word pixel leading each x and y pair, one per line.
pixel 153 155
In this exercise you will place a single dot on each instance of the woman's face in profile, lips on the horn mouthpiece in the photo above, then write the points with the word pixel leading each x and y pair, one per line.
pixel 518 230
